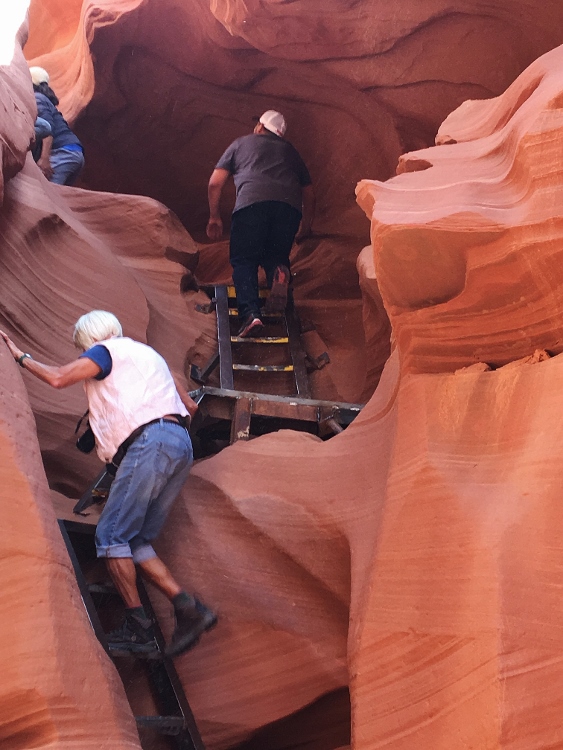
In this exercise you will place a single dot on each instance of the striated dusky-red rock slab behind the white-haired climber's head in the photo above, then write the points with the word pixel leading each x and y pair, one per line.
pixel 72 251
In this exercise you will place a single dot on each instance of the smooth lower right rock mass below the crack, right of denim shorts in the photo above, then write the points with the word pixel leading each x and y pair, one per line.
pixel 435 518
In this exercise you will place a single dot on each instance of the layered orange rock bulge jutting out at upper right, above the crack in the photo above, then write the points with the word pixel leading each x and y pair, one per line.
pixel 467 251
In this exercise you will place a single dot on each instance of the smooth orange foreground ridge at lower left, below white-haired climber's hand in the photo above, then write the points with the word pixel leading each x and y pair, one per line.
pixel 58 688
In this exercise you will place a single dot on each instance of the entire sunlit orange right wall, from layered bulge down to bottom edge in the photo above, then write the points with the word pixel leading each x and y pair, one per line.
pixel 461 631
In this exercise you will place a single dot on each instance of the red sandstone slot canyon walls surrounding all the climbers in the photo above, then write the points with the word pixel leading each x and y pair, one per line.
pixel 394 587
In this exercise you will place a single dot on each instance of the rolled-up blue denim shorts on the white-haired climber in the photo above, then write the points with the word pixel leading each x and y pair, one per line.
pixel 144 489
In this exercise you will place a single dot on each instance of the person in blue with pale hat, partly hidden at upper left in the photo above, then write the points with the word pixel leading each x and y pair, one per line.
pixel 62 156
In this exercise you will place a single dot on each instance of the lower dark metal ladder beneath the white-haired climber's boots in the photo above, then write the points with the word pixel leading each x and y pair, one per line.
pixel 176 720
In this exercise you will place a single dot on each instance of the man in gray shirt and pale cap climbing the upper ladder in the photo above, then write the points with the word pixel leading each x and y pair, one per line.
pixel 274 199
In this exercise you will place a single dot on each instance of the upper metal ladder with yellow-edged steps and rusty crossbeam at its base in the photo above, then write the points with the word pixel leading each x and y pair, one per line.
pixel 237 409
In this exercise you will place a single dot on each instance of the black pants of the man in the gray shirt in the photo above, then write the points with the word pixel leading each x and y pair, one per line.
pixel 262 234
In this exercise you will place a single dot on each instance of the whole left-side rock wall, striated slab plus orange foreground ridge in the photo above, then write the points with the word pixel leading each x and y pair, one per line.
pixel 62 252
